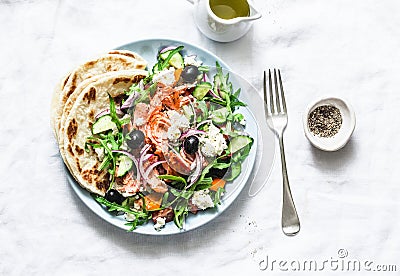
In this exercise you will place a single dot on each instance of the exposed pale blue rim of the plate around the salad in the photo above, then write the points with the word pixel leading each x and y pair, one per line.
pixel 148 48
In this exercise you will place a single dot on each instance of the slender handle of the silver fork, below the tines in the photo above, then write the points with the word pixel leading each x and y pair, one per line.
pixel 290 219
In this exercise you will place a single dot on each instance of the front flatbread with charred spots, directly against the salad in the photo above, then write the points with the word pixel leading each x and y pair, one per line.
pixel 93 99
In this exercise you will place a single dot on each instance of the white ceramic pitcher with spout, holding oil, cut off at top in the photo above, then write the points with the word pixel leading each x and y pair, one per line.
pixel 219 29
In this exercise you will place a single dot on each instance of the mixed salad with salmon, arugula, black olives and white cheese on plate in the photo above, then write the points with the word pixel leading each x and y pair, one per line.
pixel 172 143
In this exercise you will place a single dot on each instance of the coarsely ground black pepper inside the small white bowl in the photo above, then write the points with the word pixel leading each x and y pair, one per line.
pixel 325 121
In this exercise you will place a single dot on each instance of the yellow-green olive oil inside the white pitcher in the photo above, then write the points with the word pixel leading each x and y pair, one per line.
pixel 229 9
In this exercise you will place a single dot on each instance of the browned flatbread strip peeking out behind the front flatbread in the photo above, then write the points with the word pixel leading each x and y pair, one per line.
pixel 103 64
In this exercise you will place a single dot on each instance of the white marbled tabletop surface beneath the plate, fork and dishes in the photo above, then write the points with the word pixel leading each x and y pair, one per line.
pixel 347 199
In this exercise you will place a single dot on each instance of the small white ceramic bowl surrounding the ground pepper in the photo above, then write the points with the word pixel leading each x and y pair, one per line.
pixel 340 139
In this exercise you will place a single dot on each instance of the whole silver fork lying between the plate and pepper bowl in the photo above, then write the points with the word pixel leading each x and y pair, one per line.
pixel 277 119
